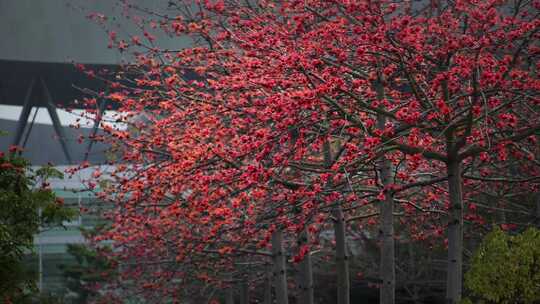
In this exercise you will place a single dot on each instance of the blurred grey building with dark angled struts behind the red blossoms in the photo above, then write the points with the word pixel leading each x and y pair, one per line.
pixel 42 41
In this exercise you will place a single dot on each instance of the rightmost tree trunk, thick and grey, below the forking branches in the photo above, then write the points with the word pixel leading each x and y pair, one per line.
pixel 454 274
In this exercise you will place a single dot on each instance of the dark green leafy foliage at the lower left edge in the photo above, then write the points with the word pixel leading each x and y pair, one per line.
pixel 27 204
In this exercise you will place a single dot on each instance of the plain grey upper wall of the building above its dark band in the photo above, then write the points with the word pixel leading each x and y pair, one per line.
pixel 58 30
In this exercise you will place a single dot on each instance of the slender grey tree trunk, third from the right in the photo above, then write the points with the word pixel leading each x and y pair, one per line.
pixel 342 259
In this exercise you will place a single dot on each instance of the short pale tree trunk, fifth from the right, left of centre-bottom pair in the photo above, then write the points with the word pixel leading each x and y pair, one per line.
pixel 280 273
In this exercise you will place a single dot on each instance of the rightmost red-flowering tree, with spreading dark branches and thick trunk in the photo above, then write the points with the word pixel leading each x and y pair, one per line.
pixel 465 96
